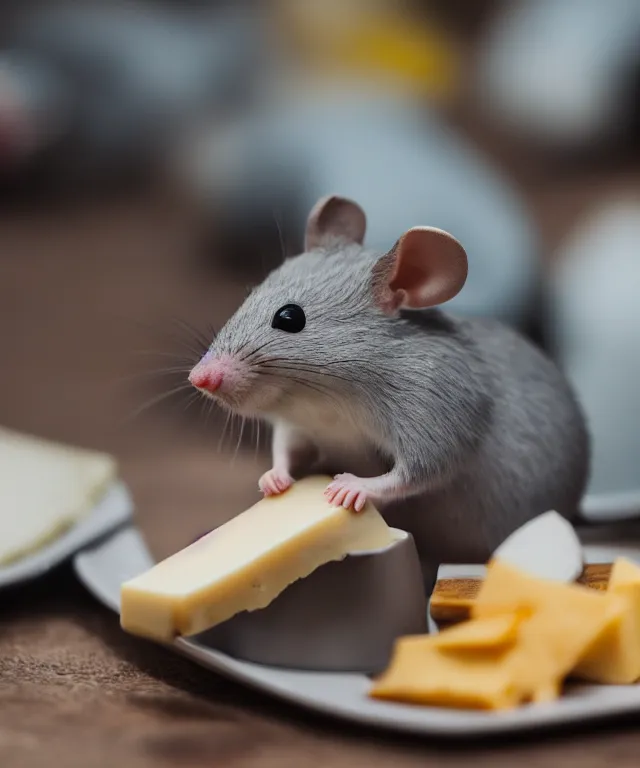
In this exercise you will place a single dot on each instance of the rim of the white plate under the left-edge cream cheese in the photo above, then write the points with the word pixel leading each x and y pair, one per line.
pixel 114 509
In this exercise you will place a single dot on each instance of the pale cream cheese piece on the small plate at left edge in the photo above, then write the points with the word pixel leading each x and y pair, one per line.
pixel 45 488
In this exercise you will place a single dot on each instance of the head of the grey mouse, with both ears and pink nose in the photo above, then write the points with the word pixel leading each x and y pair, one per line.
pixel 327 325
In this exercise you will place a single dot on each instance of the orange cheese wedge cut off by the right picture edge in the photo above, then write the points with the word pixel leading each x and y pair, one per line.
pixel 614 656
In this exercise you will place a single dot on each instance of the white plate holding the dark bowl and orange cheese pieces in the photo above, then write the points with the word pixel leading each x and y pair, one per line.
pixel 105 565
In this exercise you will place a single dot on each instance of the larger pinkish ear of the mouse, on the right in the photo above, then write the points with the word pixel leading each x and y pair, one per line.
pixel 425 267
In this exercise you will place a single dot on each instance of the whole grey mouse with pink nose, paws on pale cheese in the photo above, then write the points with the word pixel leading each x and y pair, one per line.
pixel 458 430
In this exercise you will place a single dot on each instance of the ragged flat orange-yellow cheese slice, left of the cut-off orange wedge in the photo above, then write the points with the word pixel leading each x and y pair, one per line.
pixel 527 636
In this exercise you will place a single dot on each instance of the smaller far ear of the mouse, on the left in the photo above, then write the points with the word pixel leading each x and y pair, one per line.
pixel 333 219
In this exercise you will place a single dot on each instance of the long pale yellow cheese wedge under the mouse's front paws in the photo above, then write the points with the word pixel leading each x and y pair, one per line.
pixel 246 563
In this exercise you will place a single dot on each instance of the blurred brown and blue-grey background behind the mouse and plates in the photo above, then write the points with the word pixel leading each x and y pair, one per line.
pixel 158 158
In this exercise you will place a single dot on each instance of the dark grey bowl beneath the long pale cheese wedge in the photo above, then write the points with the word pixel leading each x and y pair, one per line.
pixel 344 617
